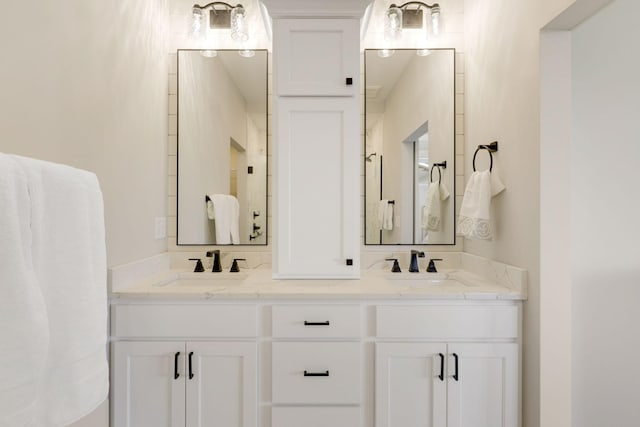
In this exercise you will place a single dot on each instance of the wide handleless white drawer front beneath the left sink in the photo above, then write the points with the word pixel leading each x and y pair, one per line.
pixel 184 321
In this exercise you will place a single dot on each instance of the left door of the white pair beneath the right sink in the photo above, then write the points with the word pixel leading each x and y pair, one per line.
pixel 409 388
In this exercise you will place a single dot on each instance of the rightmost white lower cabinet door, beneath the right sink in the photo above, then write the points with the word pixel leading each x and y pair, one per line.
pixel 485 393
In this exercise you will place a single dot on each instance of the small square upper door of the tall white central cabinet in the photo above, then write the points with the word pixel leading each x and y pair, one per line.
pixel 315 57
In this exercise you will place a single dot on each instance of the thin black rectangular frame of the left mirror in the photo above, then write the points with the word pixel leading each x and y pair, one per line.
pixel 267 153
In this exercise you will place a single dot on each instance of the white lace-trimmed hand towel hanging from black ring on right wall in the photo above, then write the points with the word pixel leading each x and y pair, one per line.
pixel 474 219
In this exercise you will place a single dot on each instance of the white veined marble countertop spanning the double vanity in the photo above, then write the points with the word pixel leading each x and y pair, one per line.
pixel 373 284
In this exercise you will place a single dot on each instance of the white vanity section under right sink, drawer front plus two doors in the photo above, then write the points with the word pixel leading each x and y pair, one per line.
pixel 461 380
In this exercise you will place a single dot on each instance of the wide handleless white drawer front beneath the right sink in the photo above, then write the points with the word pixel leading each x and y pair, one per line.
pixel 448 322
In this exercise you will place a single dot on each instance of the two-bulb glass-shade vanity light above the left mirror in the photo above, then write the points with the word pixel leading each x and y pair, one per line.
pixel 221 15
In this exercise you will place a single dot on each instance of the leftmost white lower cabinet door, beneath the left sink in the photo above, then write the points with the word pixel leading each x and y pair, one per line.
pixel 144 390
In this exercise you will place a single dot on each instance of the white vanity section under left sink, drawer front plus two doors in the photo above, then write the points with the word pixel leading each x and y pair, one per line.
pixel 208 377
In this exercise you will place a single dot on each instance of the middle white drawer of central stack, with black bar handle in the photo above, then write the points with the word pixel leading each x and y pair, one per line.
pixel 316 372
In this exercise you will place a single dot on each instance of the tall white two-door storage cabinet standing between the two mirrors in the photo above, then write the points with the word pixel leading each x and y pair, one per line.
pixel 316 148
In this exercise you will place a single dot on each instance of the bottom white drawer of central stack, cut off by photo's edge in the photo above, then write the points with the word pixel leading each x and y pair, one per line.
pixel 316 416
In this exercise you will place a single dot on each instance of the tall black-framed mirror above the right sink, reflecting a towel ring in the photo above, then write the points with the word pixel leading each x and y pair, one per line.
pixel 409 147
